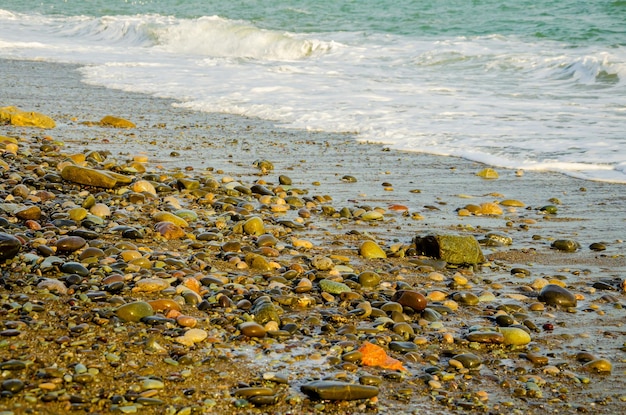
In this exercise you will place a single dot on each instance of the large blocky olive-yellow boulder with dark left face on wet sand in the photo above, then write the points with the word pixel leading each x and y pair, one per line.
pixel 454 249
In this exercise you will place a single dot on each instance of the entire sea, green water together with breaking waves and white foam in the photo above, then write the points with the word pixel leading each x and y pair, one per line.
pixel 518 84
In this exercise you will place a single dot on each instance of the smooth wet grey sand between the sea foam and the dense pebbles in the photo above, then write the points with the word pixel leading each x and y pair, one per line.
pixel 348 174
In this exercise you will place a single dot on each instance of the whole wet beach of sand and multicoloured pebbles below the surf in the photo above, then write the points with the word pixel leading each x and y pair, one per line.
pixel 194 263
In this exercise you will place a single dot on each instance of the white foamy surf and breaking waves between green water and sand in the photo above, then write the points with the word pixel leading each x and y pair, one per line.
pixel 495 99
